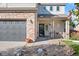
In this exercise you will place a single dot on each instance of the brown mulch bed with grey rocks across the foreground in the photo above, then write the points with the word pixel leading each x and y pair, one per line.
pixel 48 50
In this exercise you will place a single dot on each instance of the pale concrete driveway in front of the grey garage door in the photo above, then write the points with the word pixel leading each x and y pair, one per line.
pixel 4 45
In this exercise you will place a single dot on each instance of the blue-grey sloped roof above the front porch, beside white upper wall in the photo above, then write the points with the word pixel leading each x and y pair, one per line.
pixel 42 11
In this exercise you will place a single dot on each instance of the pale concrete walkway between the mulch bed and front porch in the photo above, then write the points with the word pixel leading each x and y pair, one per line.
pixel 47 42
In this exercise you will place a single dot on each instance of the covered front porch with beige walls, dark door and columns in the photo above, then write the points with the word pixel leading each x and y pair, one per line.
pixel 52 28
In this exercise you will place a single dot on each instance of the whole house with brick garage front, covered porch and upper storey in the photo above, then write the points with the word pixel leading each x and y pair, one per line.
pixel 30 21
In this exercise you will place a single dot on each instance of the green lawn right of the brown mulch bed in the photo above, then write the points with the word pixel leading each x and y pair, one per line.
pixel 74 46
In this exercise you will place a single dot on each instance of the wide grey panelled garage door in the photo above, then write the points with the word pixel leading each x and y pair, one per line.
pixel 12 30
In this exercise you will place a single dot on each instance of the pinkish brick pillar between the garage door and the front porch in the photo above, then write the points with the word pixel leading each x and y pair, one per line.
pixel 31 27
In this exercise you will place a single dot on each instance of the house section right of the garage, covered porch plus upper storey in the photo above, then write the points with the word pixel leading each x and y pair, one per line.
pixel 52 21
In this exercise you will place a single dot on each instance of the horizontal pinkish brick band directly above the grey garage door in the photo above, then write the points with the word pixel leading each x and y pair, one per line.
pixel 15 15
